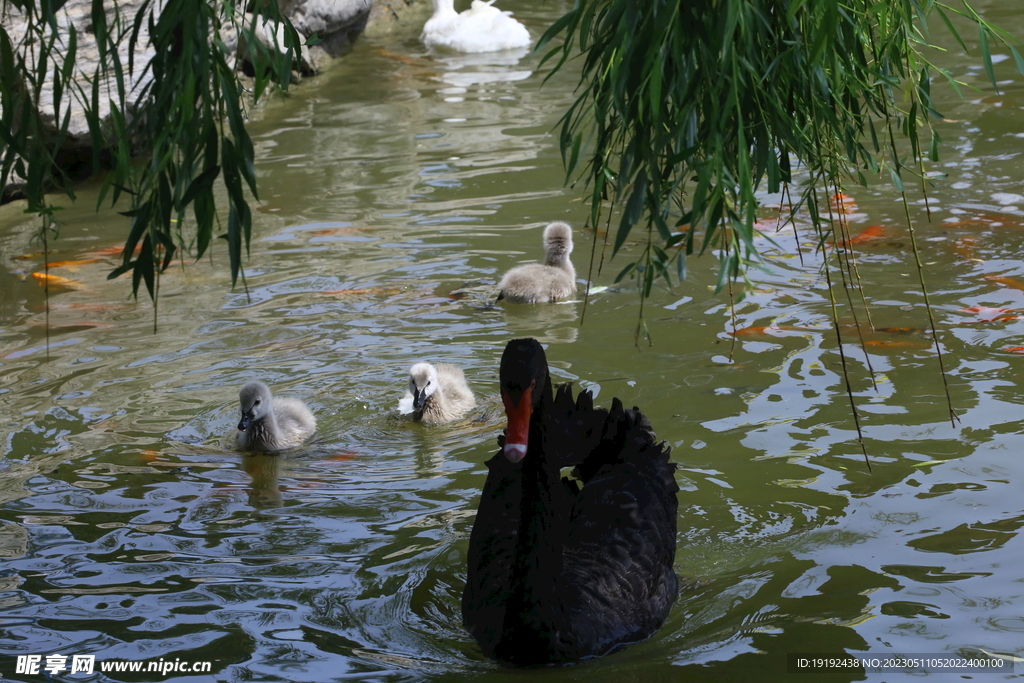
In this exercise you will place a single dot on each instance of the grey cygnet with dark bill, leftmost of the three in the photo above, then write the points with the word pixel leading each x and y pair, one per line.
pixel 271 423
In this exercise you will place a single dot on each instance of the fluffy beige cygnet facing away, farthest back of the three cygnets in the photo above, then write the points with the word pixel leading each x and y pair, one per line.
pixel 552 281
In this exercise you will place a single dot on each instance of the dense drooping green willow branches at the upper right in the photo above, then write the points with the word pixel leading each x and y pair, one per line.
pixel 688 109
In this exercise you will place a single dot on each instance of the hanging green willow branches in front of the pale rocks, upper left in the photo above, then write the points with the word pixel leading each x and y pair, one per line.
pixel 187 123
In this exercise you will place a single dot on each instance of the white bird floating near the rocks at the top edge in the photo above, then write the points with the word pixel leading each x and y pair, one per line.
pixel 483 28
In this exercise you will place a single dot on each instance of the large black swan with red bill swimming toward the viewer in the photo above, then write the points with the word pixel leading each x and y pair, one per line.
pixel 558 573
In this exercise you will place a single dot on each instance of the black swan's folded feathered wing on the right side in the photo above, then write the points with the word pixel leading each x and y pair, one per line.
pixel 622 535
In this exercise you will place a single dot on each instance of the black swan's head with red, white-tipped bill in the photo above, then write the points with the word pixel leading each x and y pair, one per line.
pixel 524 376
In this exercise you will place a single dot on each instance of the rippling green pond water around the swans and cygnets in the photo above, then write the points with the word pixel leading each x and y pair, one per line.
pixel 397 188
